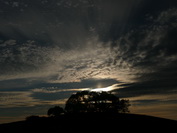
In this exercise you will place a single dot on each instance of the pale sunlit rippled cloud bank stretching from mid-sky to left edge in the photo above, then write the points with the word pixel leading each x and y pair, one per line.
pixel 29 60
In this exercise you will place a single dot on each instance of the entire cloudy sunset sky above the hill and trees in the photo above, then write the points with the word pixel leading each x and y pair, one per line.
pixel 50 49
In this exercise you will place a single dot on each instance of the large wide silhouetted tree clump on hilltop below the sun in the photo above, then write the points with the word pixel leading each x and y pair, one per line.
pixel 87 101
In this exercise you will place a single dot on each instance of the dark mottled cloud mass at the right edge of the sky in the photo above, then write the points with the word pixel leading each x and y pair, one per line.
pixel 150 47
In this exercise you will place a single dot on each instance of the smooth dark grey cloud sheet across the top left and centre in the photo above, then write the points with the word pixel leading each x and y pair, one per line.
pixel 65 23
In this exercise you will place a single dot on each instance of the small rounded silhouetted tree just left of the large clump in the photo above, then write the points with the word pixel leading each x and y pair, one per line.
pixel 55 111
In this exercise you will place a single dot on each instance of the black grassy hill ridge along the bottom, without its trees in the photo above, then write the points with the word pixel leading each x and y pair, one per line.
pixel 90 122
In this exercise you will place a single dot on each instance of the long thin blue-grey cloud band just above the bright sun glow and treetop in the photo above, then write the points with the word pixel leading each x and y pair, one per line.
pixel 53 87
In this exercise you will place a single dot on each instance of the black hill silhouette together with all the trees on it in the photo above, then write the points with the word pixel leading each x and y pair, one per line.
pixel 90 112
